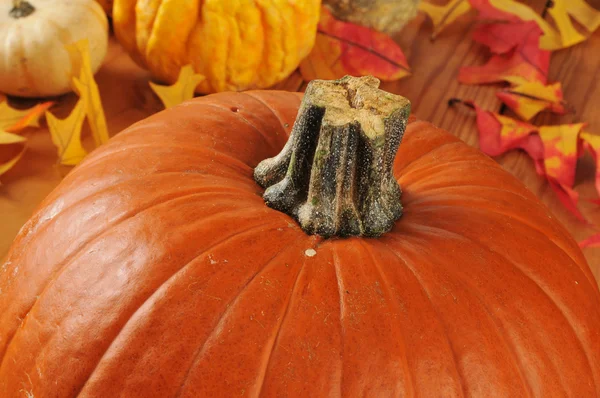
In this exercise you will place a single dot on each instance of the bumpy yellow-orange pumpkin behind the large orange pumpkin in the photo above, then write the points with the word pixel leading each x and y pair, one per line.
pixel 236 45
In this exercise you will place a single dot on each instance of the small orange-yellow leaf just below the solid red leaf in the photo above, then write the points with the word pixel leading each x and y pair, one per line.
pixel 528 99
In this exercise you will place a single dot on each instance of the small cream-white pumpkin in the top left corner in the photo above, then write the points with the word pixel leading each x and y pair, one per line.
pixel 33 35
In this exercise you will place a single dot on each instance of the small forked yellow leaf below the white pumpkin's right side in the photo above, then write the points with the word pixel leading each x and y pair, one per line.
pixel 66 134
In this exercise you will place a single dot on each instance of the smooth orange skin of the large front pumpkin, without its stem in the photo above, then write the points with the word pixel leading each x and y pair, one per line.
pixel 155 270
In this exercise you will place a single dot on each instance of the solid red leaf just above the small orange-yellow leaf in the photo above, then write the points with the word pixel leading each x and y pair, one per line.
pixel 518 58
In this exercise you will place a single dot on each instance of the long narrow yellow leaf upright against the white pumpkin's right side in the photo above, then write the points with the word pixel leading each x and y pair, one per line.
pixel 86 87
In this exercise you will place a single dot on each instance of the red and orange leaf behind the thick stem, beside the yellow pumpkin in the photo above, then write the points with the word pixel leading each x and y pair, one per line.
pixel 343 48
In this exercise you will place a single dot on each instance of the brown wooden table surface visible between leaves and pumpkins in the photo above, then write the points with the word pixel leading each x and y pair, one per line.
pixel 127 99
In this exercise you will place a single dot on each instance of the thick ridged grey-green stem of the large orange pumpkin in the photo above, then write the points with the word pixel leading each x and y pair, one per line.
pixel 334 175
